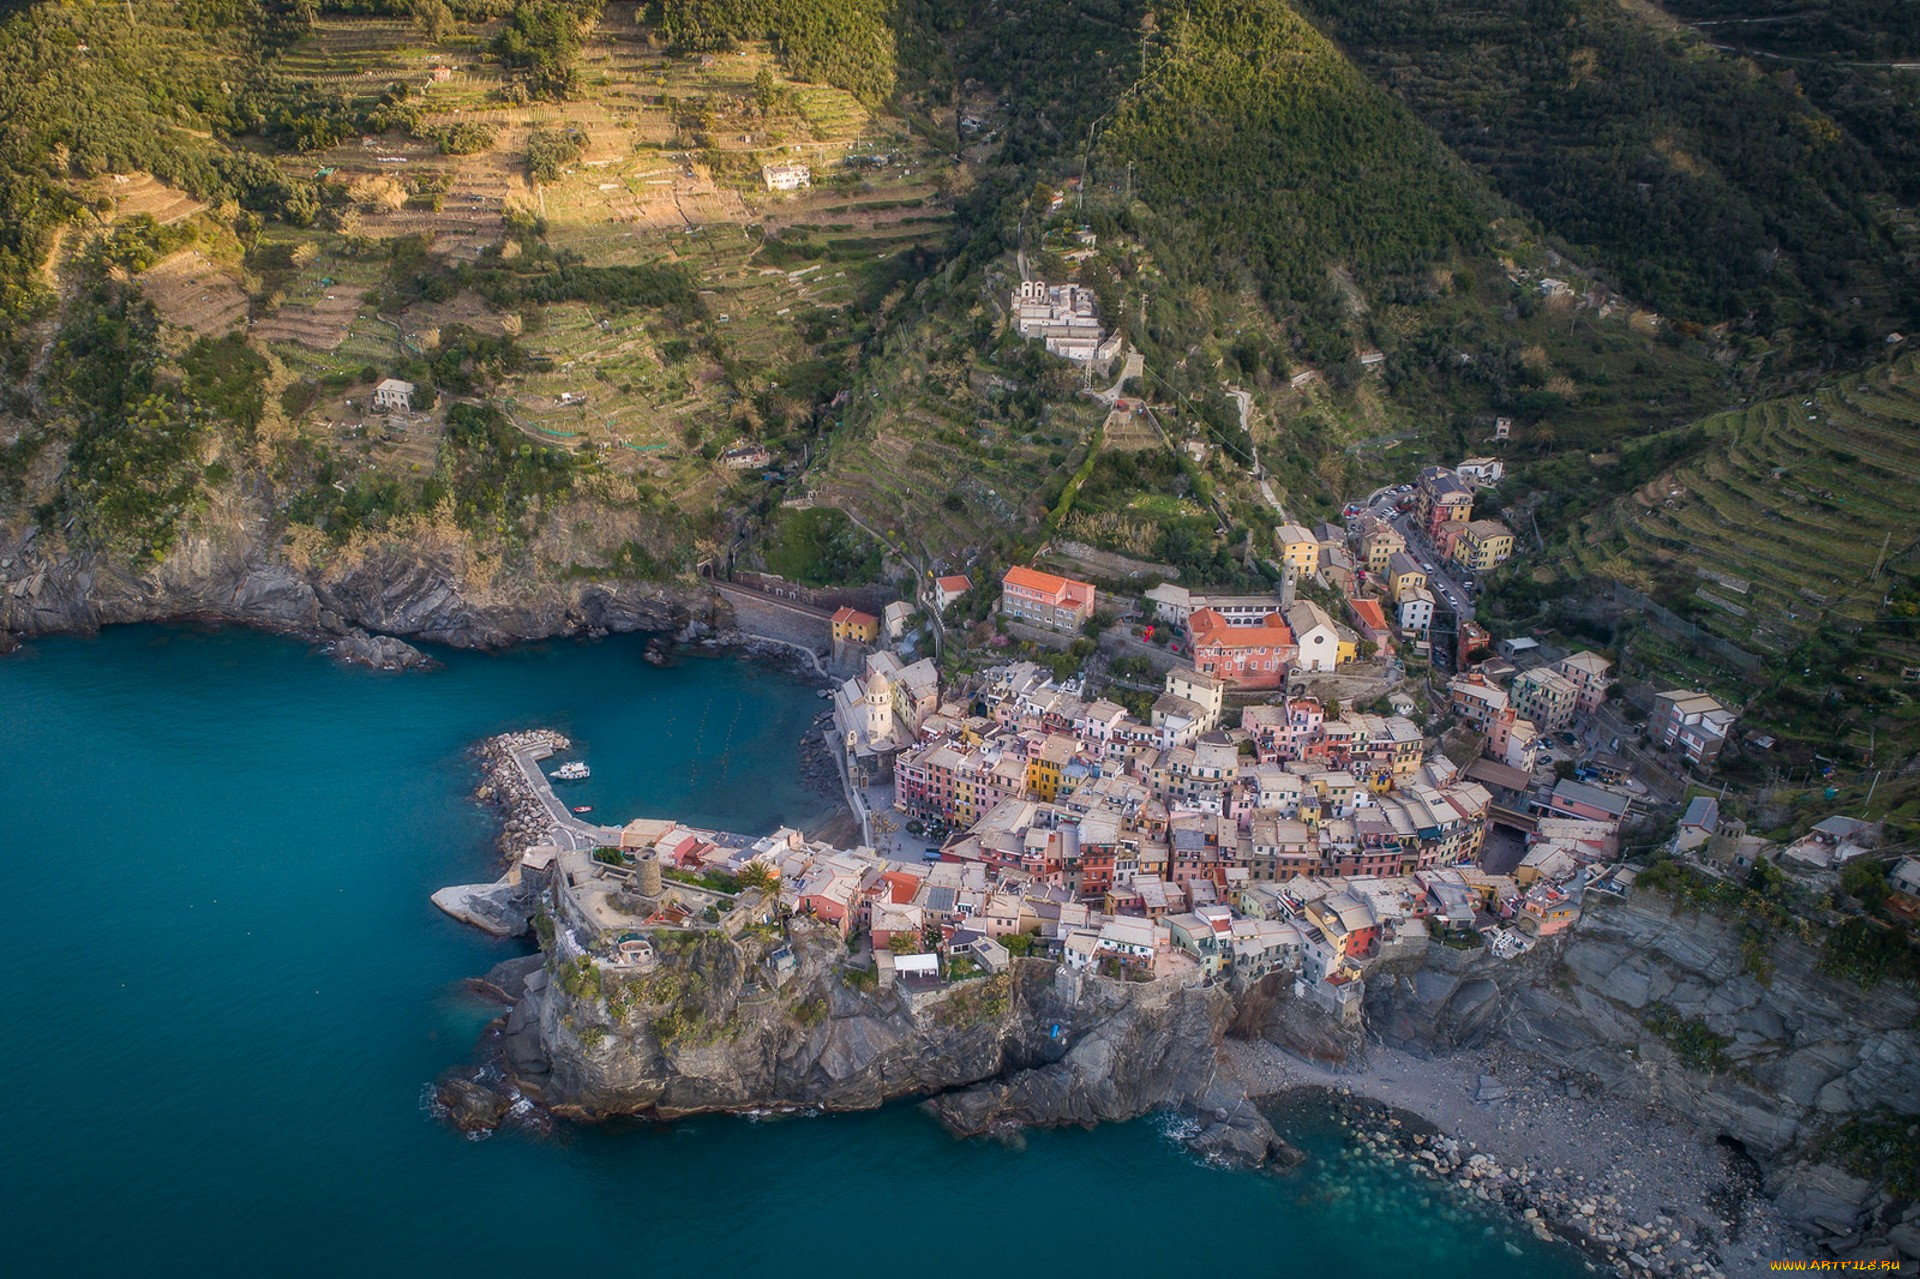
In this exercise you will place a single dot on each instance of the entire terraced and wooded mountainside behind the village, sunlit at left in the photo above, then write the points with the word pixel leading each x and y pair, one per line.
pixel 229 220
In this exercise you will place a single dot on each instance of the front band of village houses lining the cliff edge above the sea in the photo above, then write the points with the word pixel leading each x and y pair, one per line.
pixel 986 900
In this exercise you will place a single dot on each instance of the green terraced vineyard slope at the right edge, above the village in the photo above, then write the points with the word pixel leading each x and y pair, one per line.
pixel 1796 521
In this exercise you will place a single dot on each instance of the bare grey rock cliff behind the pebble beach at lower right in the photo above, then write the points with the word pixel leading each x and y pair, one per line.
pixel 1666 1007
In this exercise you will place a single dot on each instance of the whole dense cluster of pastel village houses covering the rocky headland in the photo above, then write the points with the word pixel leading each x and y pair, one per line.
pixel 1297 842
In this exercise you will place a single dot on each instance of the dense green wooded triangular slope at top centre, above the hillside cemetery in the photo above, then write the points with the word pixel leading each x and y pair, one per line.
pixel 1264 158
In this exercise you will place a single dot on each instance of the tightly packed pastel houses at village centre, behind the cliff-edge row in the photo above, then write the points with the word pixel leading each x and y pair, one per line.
pixel 1084 796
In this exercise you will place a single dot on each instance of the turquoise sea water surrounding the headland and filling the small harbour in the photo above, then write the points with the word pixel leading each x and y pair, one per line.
pixel 228 994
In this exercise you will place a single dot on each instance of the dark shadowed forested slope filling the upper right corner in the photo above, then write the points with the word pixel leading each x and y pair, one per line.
pixel 1710 187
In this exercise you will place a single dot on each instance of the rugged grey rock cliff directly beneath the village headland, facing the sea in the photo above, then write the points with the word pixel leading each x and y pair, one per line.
pixel 711 1030
